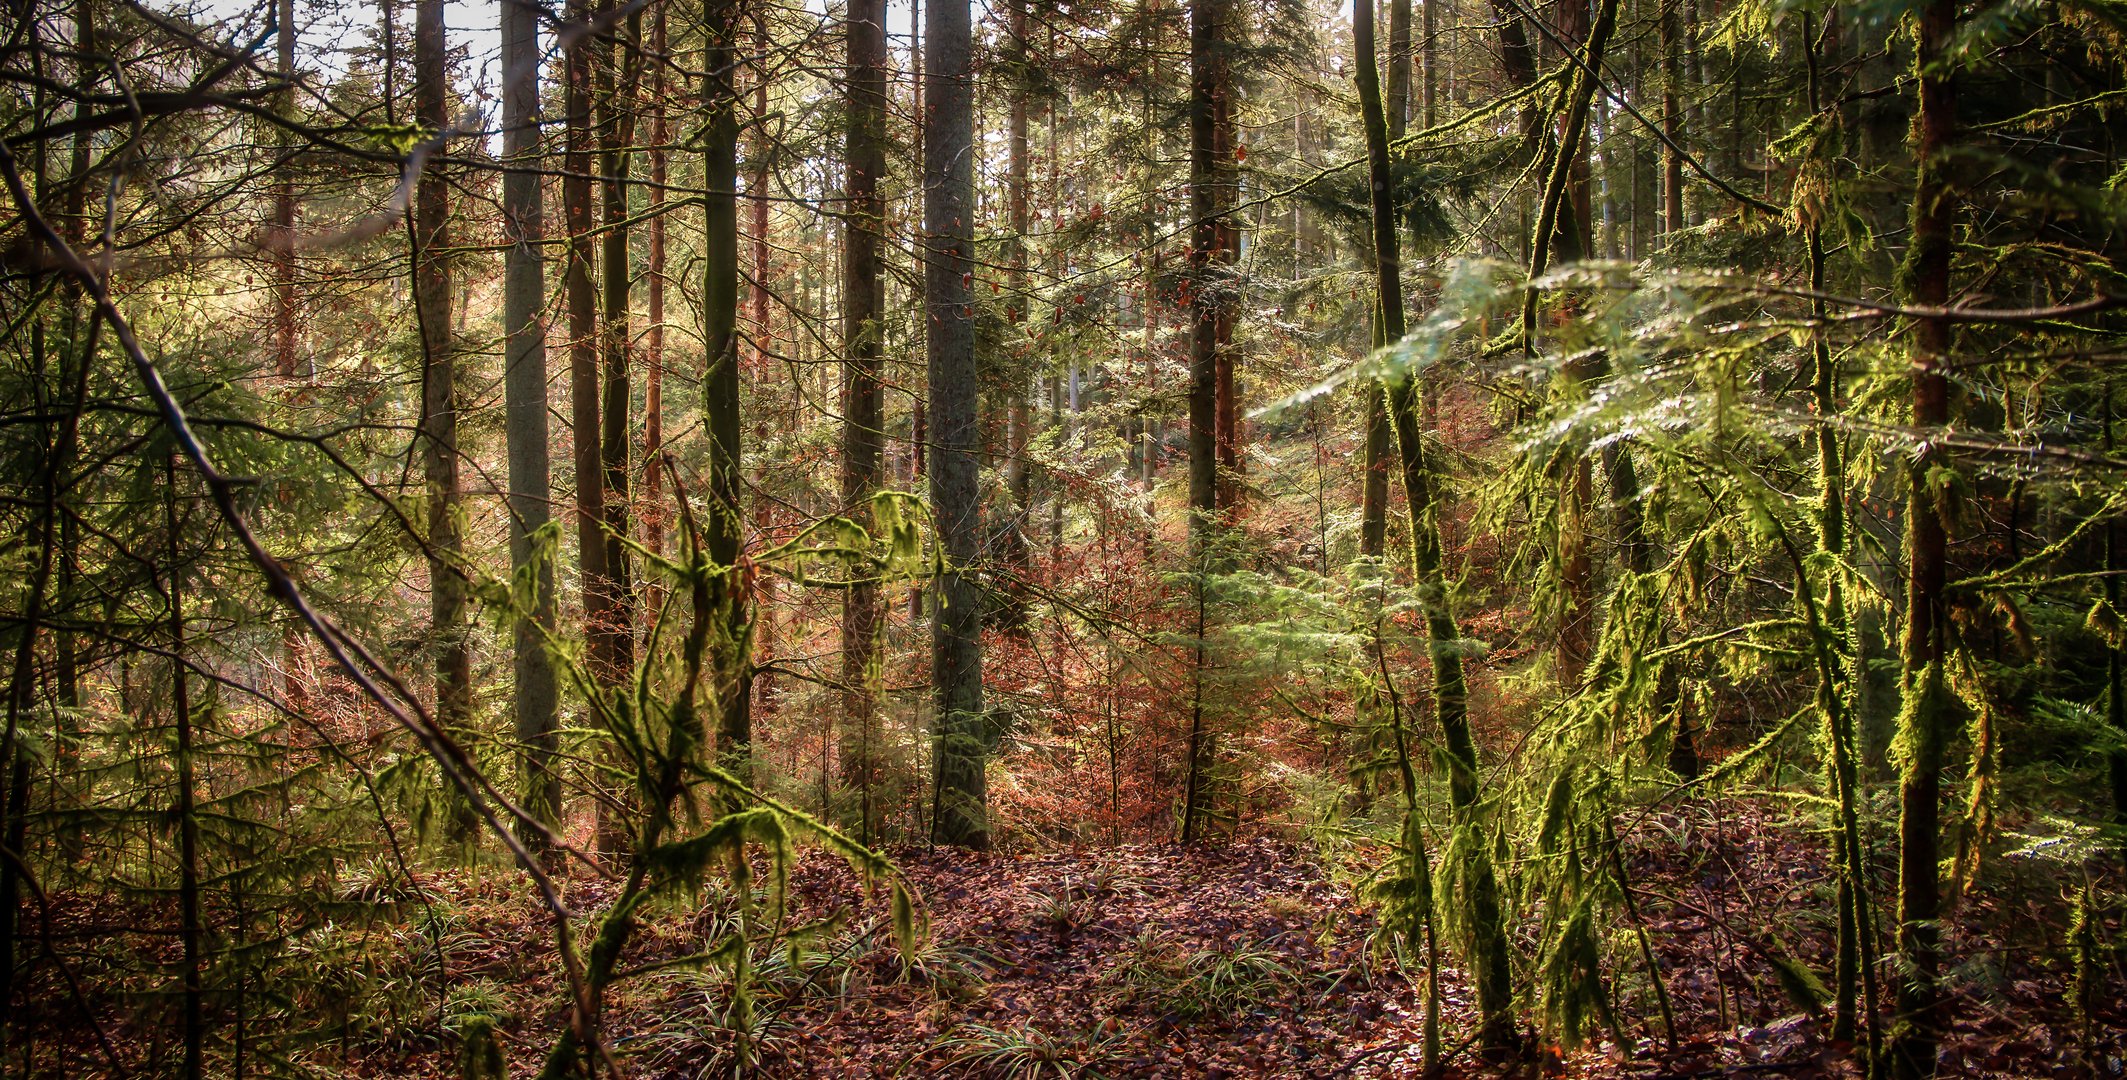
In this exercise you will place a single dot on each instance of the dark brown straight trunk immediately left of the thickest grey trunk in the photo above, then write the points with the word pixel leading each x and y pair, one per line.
pixel 865 161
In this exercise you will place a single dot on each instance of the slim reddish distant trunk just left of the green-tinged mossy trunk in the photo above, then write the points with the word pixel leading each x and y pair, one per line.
pixel 654 277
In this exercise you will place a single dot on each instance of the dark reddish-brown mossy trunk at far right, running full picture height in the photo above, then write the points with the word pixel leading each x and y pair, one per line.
pixel 1928 507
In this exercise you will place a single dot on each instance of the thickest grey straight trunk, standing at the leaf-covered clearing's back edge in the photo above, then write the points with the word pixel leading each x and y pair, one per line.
pixel 960 813
